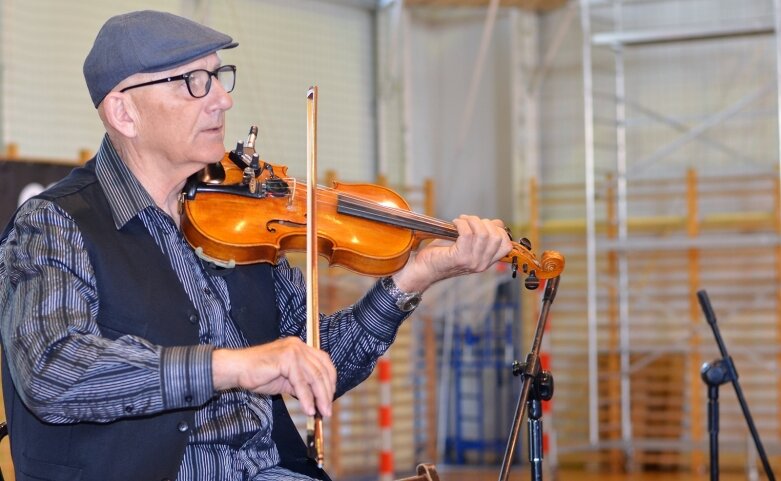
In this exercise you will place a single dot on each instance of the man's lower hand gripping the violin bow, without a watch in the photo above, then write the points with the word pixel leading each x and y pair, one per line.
pixel 285 366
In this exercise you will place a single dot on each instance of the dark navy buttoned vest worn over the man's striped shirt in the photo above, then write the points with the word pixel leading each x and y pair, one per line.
pixel 139 294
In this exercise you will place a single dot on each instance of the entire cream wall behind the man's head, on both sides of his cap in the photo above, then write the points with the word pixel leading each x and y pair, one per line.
pixel 285 47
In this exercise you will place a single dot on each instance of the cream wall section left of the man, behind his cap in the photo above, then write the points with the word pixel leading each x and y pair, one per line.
pixel 46 108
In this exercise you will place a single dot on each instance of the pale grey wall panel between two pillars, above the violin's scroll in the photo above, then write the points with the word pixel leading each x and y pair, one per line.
pixel 471 168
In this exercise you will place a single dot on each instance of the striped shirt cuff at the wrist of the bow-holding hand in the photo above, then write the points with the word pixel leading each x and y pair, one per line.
pixel 186 373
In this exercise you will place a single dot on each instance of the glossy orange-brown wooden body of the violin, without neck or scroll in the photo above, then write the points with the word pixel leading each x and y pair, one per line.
pixel 260 230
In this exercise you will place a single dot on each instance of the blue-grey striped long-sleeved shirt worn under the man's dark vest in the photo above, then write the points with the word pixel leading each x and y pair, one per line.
pixel 66 371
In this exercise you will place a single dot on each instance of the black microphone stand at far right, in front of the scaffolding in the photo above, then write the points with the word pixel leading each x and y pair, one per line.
pixel 715 374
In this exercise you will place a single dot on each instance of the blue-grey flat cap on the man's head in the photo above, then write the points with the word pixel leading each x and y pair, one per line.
pixel 143 42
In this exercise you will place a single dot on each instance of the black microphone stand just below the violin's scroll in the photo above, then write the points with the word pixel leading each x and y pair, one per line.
pixel 536 382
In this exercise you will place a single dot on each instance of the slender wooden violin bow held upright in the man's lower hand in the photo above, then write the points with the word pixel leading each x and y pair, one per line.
pixel 314 424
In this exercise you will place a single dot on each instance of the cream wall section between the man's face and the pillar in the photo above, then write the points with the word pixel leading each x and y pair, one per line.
pixel 286 47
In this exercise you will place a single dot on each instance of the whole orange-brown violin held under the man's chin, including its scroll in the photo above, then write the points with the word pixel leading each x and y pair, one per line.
pixel 242 210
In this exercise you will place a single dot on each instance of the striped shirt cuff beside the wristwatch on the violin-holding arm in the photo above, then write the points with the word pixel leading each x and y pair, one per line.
pixel 379 314
